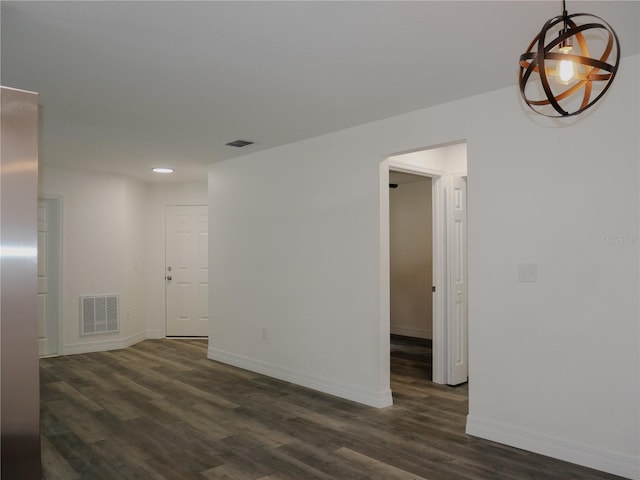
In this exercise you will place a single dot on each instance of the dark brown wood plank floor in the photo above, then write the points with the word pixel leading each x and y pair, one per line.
pixel 161 410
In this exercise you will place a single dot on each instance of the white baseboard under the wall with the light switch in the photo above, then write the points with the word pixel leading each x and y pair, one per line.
pixel 610 462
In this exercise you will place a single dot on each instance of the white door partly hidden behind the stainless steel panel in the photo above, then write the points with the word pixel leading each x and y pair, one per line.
pixel 47 278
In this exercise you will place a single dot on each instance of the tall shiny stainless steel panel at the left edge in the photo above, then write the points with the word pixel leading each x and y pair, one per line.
pixel 19 378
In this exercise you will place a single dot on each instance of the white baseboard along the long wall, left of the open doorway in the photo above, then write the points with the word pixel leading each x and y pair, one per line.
pixel 374 399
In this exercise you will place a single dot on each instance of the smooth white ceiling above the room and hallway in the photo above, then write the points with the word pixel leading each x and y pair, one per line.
pixel 127 85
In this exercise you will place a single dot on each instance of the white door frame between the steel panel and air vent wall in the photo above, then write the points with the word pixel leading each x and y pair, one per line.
pixel 56 201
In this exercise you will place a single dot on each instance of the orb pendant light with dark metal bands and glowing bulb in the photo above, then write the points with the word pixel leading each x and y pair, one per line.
pixel 567 73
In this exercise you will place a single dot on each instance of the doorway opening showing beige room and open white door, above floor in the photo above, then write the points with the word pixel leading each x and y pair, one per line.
pixel 422 306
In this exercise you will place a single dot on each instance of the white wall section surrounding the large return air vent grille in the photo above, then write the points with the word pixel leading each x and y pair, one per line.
pixel 102 252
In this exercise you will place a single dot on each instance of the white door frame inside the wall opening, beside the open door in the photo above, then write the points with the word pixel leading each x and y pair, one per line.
pixel 439 228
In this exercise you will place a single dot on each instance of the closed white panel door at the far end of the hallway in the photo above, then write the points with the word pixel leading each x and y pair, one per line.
pixel 186 271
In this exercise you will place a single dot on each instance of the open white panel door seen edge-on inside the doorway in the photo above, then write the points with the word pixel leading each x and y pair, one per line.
pixel 457 339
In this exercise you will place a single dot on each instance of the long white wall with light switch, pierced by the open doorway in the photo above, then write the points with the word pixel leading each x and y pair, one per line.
pixel 296 268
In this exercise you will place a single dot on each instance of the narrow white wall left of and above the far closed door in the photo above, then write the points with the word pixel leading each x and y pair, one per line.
pixel 159 195
